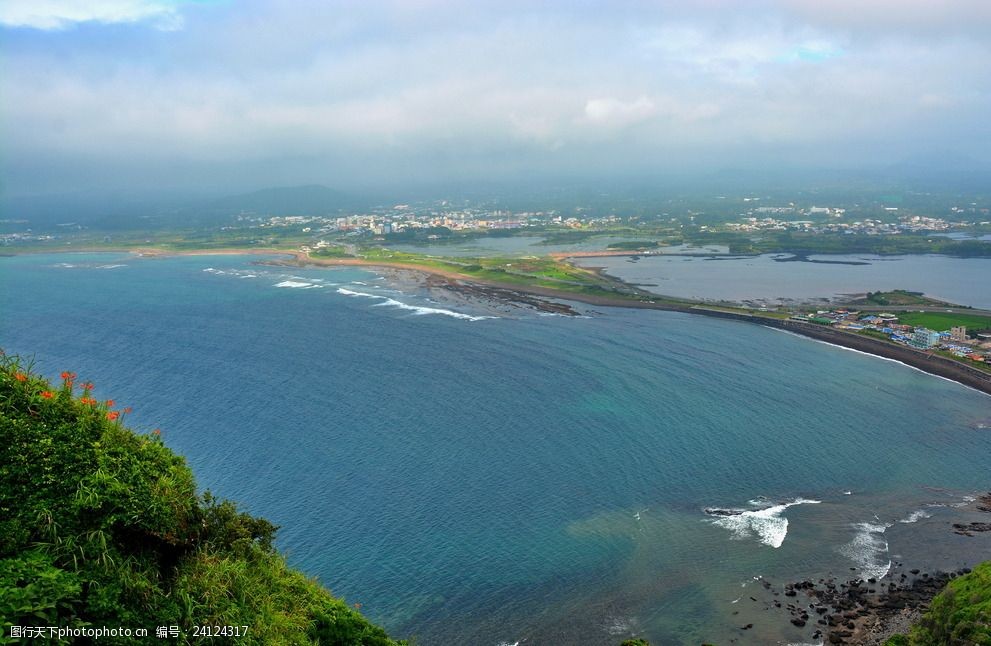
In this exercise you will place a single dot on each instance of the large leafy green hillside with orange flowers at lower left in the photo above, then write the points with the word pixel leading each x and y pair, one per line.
pixel 100 526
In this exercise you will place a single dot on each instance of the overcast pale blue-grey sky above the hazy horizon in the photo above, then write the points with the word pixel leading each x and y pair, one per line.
pixel 143 93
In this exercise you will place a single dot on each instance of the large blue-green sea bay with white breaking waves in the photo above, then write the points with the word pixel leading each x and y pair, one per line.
pixel 471 477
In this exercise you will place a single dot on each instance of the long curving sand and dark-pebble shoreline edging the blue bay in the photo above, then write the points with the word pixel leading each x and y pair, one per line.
pixel 929 363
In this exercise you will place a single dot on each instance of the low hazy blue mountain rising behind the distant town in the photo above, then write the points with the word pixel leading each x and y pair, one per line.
pixel 312 199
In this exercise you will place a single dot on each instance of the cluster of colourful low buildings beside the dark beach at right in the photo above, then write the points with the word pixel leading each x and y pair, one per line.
pixel 955 341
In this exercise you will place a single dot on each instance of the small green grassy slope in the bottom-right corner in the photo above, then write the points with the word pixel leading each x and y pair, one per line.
pixel 958 616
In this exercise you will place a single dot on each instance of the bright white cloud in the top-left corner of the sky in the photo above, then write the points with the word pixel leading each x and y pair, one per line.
pixel 56 15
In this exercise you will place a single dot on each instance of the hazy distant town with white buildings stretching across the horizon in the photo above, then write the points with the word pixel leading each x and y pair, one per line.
pixel 748 224
